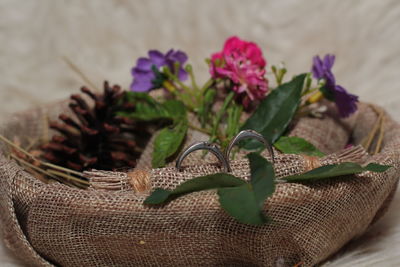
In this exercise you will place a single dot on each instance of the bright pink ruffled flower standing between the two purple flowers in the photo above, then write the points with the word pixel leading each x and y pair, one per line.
pixel 243 63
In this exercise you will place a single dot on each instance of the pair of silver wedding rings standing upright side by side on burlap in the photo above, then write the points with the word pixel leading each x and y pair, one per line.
pixel 224 157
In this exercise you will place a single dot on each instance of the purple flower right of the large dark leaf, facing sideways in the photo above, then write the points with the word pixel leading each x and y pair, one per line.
pixel 345 102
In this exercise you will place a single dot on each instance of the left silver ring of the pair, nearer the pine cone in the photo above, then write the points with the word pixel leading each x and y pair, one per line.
pixel 204 146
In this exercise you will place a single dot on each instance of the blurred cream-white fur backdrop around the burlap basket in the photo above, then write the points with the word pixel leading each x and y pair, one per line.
pixel 104 38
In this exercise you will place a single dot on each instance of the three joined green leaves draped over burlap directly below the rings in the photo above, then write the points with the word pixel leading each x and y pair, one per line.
pixel 244 201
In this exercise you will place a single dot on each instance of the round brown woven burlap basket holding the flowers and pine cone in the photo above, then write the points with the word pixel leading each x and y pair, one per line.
pixel 107 225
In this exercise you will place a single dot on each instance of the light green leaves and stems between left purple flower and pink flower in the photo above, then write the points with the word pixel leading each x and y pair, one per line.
pixel 221 125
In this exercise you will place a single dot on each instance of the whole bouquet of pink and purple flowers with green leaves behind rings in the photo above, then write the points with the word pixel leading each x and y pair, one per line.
pixel 238 84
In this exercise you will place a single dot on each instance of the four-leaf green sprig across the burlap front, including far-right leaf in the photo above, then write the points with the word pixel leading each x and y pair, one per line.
pixel 245 201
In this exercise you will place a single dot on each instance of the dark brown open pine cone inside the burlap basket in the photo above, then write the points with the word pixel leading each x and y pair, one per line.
pixel 98 139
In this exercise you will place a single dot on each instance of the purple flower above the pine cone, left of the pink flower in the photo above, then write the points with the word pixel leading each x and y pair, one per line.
pixel 143 74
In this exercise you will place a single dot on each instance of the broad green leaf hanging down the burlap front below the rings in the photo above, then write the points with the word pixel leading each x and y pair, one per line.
pixel 241 203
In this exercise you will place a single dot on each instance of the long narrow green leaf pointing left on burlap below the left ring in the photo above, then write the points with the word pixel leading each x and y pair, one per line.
pixel 213 181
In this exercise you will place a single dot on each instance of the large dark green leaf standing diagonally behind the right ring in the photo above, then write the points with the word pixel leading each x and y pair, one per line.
pixel 275 112
